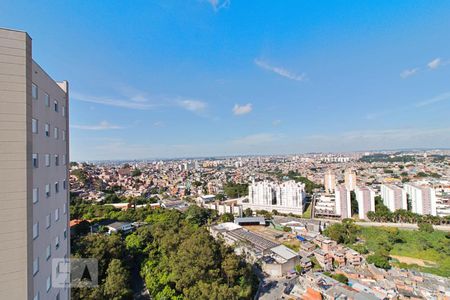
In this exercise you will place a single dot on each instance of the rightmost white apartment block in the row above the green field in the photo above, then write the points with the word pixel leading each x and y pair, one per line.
pixel 423 199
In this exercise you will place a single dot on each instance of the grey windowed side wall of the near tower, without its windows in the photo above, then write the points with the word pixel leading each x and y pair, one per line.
pixel 43 175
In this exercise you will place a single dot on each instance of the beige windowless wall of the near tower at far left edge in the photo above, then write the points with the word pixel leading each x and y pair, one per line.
pixel 15 165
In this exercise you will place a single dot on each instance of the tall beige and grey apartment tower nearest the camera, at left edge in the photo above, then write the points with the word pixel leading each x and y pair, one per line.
pixel 34 192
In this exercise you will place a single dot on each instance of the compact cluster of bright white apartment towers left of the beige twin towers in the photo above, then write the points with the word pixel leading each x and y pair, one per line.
pixel 286 197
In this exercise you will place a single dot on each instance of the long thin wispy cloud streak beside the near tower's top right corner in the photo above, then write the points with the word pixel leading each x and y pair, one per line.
pixel 134 102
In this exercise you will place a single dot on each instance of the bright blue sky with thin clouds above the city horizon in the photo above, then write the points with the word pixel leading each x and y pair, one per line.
pixel 195 78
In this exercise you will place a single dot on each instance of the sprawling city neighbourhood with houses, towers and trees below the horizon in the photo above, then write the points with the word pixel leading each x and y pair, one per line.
pixel 316 226
